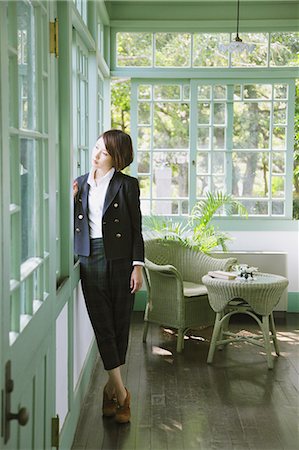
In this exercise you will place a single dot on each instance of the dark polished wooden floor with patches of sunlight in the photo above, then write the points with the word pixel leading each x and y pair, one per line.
pixel 181 403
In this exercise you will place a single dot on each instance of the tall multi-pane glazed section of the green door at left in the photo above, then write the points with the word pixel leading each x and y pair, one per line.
pixel 28 150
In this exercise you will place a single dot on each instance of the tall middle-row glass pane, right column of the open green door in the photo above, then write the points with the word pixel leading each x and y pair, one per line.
pixel 29 198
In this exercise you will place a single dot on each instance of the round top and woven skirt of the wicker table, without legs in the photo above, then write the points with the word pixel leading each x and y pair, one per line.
pixel 262 293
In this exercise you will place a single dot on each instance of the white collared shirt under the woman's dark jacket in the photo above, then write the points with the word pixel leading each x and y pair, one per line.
pixel 96 198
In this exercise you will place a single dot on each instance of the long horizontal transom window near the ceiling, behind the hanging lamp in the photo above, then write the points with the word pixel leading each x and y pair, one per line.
pixel 172 49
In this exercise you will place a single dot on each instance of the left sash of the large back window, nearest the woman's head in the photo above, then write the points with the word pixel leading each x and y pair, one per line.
pixel 163 147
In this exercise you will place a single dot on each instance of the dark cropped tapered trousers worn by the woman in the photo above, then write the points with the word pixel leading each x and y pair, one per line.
pixel 109 302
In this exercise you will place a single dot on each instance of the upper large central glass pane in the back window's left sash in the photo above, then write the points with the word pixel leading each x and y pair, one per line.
pixel 171 125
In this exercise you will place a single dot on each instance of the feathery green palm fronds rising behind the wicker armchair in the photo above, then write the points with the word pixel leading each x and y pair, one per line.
pixel 198 233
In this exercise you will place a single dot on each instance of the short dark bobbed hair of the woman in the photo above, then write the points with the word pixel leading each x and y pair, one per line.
pixel 120 148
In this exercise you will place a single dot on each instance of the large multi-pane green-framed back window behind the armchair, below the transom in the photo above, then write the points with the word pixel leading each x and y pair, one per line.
pixel 230 136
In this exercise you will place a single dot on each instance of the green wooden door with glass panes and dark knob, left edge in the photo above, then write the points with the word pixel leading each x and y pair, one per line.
pixel 28 230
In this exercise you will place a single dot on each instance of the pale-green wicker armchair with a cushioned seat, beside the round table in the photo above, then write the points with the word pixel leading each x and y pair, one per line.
pixel 176 296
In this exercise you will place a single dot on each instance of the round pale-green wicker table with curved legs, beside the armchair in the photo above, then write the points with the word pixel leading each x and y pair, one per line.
pixel 256 297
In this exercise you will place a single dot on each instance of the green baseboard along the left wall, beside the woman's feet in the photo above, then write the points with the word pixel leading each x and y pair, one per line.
pixel 69 427
